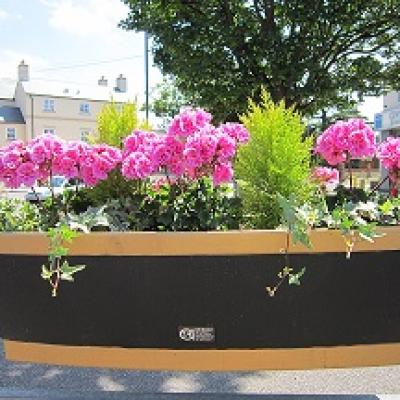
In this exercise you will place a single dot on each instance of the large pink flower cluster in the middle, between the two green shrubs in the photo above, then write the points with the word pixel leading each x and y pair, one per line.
pixel 192 148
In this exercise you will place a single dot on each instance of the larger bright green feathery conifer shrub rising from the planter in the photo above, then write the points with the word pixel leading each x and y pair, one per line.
pixel 275 161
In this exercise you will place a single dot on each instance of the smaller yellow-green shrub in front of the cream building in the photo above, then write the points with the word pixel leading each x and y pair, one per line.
pixel 115 122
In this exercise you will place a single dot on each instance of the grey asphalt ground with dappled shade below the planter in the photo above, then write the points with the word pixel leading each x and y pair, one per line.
pixel 382 380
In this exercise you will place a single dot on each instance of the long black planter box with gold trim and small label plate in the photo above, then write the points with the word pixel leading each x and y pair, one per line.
pixel 199 291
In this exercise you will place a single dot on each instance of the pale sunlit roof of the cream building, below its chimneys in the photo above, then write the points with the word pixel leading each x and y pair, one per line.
pixel 74 91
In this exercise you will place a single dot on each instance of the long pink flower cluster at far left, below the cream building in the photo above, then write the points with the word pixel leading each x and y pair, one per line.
pixel 22 164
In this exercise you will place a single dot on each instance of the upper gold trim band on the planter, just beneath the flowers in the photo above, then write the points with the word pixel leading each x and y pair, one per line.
pixel 194 243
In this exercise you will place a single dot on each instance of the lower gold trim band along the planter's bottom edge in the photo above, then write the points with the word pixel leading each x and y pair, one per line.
pixel 205 360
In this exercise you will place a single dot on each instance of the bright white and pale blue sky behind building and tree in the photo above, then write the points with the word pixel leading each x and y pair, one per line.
pixel 58 38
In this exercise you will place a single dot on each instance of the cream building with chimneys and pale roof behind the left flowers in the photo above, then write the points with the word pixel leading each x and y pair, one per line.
pixel 68 111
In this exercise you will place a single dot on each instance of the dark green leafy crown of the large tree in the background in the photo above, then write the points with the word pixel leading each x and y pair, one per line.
pixel 312 54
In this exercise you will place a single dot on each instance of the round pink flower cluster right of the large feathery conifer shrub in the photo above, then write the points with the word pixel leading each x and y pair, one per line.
pixel 345 140
